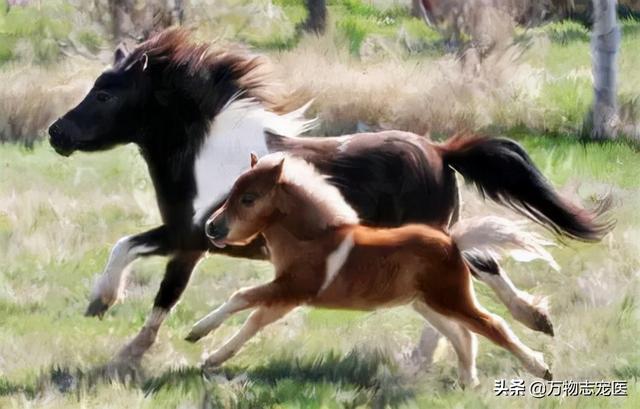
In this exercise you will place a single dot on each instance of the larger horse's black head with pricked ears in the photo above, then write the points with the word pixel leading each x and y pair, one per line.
pixel 110 114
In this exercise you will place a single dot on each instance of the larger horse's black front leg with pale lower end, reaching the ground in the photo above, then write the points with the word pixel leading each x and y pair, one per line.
pixel 176 277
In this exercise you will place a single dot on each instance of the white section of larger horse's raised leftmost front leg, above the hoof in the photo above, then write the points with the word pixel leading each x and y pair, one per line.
pixel 109 287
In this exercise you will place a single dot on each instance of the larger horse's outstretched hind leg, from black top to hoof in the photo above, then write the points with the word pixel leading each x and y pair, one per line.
pixel 524 307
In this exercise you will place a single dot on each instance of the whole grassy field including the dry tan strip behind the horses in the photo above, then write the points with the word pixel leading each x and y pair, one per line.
pixel 375 68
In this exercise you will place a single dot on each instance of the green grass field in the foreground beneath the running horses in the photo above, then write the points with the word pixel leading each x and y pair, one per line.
pixel 59 217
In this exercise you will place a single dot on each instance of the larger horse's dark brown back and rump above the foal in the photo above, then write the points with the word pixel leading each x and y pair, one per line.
pixel 390 178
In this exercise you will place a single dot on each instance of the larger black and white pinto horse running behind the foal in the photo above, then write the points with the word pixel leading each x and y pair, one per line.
pixel 197 113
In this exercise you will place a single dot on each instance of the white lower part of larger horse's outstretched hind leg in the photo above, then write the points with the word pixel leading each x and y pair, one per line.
pixel 530 310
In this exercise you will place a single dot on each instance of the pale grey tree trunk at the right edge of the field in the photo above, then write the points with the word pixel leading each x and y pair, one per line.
pixel 605 41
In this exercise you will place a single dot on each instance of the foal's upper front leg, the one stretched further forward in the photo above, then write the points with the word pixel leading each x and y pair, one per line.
pixel 240 300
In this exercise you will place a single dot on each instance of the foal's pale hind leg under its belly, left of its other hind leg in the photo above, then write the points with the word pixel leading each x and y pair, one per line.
pixel 464 342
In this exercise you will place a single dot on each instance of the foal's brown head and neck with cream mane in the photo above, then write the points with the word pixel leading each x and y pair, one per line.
pixel 278 187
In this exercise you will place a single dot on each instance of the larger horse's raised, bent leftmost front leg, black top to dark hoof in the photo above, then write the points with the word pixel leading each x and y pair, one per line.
pixel 109 287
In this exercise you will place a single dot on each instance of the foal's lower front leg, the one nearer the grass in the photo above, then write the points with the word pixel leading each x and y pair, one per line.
pixel 258 319
